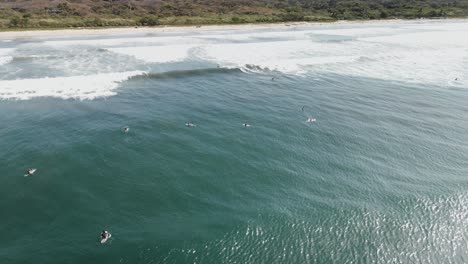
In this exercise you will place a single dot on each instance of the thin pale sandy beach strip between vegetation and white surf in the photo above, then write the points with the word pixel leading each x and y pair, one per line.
pixel 72 32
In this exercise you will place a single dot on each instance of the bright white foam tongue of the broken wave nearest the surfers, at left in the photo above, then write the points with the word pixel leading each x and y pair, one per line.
pixel 76 87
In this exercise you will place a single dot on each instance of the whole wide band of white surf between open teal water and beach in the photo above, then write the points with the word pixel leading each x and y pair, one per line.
pixel 88 67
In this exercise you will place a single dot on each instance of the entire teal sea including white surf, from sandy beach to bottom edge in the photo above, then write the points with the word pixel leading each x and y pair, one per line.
pixel 380 177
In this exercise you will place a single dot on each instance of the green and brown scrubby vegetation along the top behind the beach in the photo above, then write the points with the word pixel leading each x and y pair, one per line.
pixel 106 13
